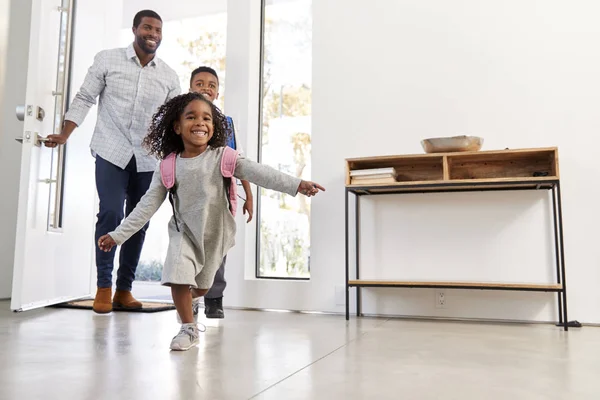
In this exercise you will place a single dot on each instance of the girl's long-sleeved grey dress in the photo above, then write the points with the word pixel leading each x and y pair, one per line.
pixel 206 226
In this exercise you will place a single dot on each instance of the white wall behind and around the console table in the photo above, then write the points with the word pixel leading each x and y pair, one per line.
pixel 518 73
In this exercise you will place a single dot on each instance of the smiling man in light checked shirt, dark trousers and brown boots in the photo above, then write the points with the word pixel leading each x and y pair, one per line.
pixel 131 84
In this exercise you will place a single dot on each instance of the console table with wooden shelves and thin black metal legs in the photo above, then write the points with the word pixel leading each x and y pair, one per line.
pixel 526 169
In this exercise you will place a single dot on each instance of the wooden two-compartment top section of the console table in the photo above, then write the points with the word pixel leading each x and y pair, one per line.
pixel 504 169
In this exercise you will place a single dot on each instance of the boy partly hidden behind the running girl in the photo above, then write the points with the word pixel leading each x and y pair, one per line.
pixel 204 80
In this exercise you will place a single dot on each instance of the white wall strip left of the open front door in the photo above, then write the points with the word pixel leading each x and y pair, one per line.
pixel 12 92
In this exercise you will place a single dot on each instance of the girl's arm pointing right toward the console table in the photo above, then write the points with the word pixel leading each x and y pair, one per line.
pixel 269 178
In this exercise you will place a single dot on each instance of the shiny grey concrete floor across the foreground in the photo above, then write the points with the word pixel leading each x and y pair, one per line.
pixel 74 354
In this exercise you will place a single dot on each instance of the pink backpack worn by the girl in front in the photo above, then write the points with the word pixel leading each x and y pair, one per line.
pixel 228 162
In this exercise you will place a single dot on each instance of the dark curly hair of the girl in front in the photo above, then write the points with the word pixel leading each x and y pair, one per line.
pixel 162 139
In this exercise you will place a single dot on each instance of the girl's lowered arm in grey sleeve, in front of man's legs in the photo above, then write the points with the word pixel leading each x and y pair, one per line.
pixel 145 209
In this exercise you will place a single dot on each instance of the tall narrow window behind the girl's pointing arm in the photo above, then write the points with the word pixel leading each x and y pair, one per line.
pixel 283 226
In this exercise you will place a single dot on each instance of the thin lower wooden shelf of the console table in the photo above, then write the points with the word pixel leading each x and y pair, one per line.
pixel 550 287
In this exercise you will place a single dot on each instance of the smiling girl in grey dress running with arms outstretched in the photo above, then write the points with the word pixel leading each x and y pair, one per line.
pixel 202 229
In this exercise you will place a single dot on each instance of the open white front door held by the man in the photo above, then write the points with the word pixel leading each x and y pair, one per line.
pixel 54 251
